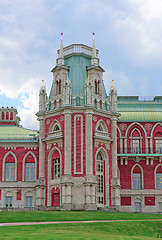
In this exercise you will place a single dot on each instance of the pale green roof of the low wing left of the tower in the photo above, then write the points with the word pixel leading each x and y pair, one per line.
pixel 17 134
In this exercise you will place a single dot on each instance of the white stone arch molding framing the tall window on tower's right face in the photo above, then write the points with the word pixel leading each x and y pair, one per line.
pixel 106 171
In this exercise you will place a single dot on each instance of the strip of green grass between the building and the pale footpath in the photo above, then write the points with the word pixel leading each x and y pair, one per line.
pixel 71 216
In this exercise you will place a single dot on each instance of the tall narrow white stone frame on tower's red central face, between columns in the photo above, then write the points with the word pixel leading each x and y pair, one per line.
pixel 75 146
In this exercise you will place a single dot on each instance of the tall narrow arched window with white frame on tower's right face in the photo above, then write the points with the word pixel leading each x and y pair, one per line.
pixel 100 180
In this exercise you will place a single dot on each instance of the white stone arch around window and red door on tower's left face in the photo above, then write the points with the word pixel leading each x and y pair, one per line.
pixel 49 171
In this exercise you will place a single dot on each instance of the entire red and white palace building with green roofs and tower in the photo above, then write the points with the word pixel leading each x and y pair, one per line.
pixel 93 150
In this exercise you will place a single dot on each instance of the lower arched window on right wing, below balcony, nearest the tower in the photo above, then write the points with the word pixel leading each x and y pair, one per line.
pixel 137 178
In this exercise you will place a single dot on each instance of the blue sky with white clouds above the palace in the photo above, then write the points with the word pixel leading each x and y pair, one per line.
pixel 128 35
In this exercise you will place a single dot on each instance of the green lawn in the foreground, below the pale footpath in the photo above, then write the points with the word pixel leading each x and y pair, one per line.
pixel 114 230
